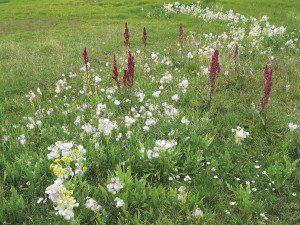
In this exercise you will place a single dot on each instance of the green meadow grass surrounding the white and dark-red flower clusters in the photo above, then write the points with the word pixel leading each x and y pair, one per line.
pixel 40 40
